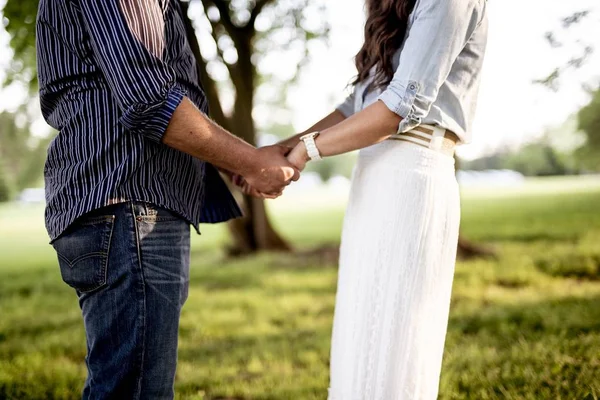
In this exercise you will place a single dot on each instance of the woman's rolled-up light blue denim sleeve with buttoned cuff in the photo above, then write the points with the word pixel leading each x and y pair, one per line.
pixel 439 31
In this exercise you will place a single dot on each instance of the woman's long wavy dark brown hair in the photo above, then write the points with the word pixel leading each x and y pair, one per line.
pixel 385 30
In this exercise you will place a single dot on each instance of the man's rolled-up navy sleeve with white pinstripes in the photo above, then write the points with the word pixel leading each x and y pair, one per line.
pixel 128 39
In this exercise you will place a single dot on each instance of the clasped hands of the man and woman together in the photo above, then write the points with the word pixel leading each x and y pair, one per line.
pixel 275 172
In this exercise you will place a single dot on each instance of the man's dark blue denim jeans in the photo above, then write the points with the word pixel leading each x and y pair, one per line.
pixel 129 264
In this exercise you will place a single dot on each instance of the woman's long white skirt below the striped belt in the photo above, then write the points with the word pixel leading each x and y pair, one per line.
pixel 395 279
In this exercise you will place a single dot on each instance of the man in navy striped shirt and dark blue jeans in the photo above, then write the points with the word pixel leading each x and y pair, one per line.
pixel 131 168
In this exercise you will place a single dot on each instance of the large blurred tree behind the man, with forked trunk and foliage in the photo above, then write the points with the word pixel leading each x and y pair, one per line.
pixel 239 45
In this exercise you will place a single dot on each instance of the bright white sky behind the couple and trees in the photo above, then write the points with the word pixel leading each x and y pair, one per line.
pixel 511 109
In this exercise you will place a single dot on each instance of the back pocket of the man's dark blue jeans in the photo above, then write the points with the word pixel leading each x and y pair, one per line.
pixel 83 253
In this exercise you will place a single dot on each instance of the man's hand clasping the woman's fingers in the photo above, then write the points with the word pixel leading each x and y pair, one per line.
pixel 271 174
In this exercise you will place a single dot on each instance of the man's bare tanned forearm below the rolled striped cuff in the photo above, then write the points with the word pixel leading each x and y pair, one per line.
pixel 192 132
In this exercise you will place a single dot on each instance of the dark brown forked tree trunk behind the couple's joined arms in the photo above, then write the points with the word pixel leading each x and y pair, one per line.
pixel 254 231
